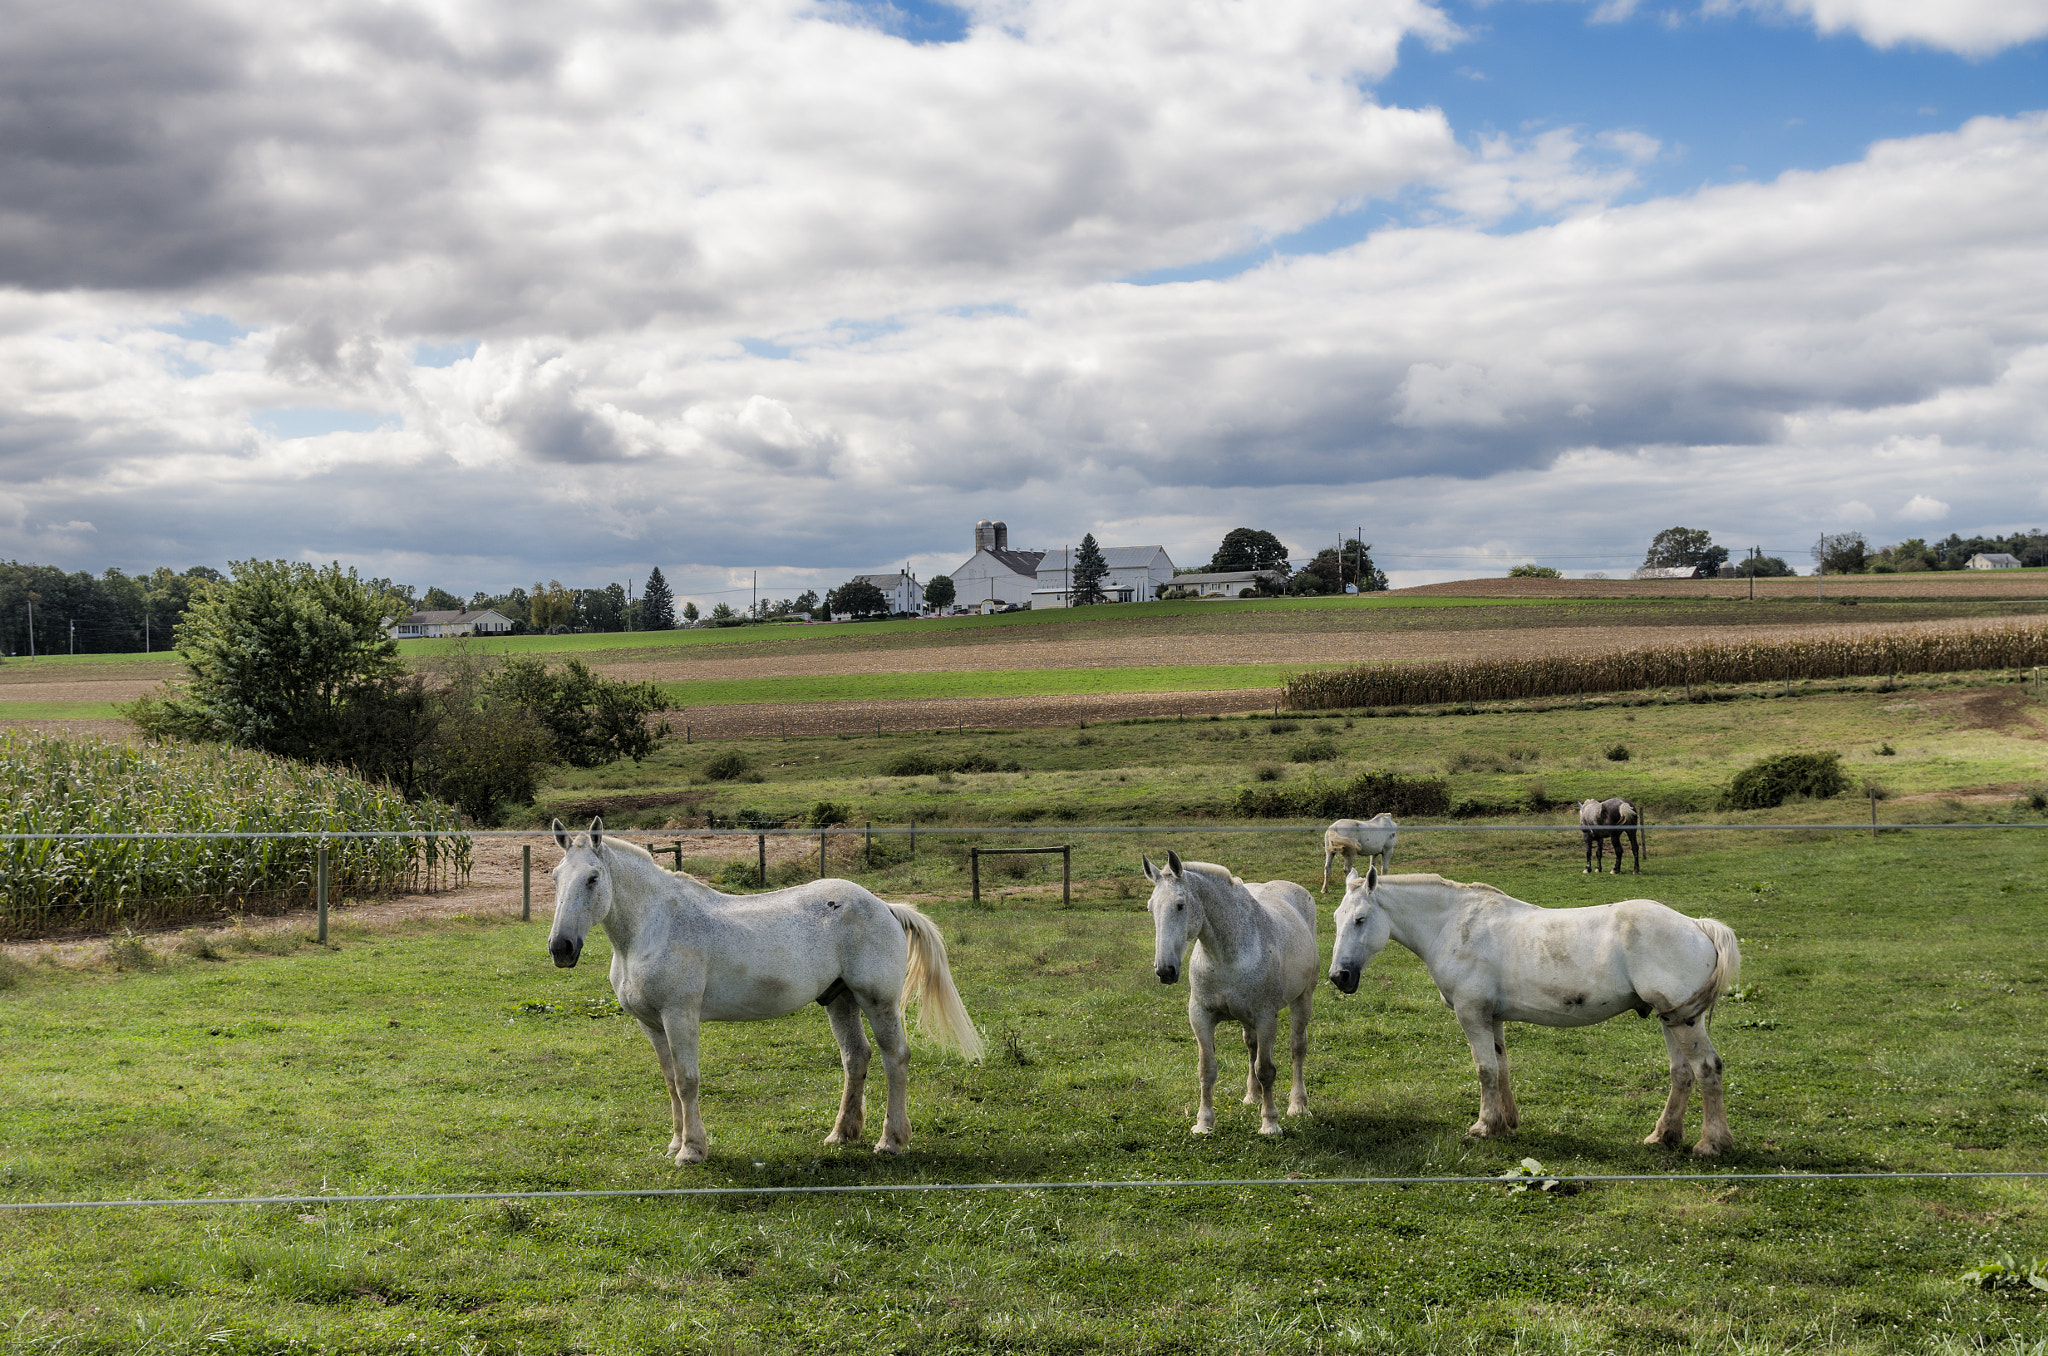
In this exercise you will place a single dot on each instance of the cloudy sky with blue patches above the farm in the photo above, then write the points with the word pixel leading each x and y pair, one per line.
pixel 480 294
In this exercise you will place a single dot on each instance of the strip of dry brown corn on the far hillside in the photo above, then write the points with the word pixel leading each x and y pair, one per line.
pixel 1627 671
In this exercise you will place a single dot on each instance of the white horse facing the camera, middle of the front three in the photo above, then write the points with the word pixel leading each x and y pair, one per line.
pixel 1254 956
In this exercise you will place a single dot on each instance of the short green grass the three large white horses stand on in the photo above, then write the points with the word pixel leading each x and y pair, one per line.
pixel 1891 1017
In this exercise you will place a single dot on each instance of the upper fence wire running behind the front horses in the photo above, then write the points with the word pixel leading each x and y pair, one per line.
pixel 964 831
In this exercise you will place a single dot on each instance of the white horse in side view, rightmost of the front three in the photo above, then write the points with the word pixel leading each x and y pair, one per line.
pixel 1498 960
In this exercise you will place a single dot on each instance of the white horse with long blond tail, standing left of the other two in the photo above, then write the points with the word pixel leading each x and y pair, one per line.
pixel 683 956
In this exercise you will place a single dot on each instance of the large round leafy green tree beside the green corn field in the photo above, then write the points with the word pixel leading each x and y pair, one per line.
pixel 273 656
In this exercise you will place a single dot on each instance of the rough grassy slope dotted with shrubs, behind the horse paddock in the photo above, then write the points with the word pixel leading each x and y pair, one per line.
pixel 1949 734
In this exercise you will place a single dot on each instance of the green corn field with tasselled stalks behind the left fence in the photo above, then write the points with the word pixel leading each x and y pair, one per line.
pixel 52 786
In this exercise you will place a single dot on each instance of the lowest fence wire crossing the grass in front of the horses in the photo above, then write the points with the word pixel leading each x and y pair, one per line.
pixel 888 1189
